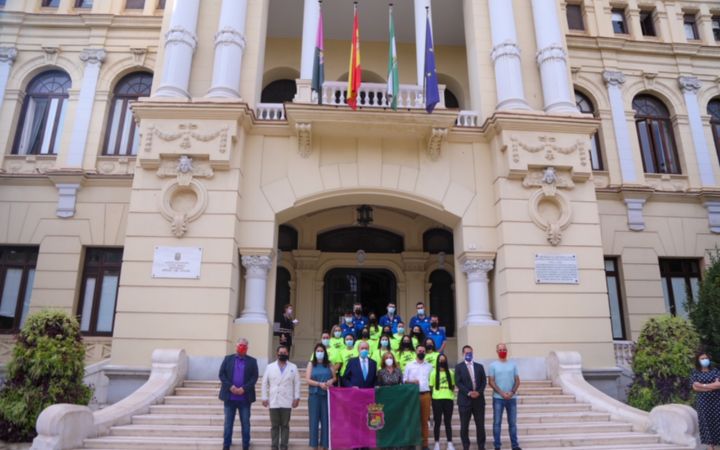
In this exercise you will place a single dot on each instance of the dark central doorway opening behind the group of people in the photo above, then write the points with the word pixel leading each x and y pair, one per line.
pixel 372 288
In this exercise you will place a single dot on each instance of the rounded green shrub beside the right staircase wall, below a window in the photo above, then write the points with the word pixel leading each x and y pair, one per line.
pixel 664 359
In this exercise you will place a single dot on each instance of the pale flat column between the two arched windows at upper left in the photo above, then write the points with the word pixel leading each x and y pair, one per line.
pixel 93 59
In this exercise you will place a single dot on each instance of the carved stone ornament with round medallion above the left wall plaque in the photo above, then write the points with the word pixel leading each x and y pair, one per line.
pixel 184 199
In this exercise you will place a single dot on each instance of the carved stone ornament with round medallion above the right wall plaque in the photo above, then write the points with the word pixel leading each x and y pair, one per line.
pixel 553 226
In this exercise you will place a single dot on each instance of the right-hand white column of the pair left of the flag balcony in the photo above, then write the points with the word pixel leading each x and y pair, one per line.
pixel 229 49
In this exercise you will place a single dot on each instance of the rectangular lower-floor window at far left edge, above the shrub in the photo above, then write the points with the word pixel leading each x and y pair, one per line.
pixel 17 273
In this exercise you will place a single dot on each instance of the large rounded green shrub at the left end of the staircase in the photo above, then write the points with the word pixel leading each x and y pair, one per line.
pixel 47 367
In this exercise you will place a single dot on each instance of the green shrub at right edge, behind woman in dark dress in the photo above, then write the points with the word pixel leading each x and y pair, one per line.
pixel 705 311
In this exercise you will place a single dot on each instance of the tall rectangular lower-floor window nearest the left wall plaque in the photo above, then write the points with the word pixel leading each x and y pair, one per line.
pixel 98 293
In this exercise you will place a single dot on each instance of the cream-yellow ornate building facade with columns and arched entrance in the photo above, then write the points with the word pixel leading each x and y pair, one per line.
pixel 566 189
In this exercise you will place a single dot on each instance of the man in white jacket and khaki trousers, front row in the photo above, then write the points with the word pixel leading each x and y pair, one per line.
pixel 280 392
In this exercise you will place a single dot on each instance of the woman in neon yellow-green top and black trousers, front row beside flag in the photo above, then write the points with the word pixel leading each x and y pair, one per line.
pixel 442 387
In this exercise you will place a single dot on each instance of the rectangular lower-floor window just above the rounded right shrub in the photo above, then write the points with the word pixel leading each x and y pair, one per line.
pixel 680 277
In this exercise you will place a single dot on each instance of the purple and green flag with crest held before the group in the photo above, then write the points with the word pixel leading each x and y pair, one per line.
pixel 381 417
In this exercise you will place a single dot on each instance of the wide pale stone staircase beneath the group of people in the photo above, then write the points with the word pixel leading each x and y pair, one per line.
pixel 192 418
